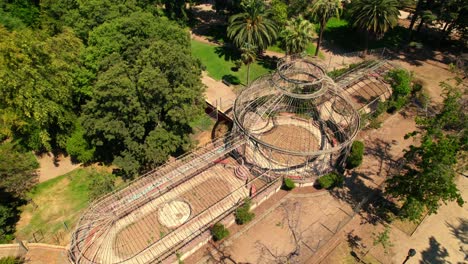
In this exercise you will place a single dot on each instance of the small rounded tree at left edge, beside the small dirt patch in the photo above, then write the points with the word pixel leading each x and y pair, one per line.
pixel 17 170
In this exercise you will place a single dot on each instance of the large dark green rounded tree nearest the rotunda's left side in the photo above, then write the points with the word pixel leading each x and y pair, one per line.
pixel 147 91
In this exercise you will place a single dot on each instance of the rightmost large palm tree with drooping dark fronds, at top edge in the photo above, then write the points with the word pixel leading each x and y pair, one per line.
pixel 375 17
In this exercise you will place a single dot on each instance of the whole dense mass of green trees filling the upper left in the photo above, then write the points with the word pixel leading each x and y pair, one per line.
pixel 104 80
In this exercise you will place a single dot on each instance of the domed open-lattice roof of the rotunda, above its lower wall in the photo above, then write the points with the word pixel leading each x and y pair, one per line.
pixel 297 110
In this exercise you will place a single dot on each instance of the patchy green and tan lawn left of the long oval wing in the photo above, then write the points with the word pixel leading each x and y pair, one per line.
pixel 59 200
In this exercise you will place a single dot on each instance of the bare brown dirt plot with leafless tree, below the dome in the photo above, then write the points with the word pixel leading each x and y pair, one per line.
pixel 312 217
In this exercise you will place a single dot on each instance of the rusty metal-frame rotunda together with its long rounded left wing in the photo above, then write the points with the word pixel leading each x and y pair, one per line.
pixel 294 123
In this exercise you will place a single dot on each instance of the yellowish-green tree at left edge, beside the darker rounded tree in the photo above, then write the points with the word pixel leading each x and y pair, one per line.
pixel 37 86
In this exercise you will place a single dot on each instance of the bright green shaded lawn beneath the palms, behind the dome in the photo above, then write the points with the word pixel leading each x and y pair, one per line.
pixel 219 62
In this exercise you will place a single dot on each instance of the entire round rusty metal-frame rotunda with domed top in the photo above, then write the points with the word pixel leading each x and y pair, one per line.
pixel 296 121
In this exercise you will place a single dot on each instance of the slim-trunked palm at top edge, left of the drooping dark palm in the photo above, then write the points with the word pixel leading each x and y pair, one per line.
pixel 323 10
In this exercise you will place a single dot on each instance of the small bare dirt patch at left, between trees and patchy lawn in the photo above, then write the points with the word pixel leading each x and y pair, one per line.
pixel 51 166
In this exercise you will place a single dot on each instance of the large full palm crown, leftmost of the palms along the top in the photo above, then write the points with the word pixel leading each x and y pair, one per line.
pixel 253 26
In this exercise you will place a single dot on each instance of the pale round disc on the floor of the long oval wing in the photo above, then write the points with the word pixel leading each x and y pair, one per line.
pixel 174 213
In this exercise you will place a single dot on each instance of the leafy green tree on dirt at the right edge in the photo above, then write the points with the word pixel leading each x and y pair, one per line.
pixel 429 177
